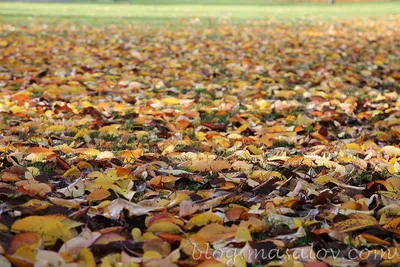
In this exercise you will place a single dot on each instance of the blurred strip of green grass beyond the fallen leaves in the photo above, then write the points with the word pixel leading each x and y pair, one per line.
pixel 158 11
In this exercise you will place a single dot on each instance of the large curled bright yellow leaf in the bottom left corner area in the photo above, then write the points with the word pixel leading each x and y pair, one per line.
pixel 48 229
